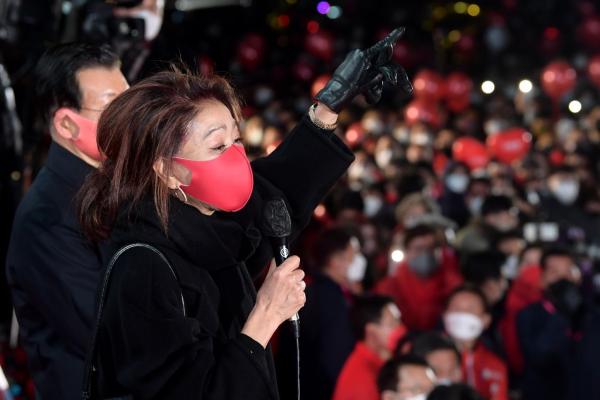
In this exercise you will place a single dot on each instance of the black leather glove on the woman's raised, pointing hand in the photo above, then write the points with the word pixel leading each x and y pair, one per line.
pixel 366 72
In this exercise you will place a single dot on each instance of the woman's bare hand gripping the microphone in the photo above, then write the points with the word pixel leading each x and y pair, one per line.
pixel 279 298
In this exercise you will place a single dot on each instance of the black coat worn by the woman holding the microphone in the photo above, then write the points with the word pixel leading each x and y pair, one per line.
pixel 146 346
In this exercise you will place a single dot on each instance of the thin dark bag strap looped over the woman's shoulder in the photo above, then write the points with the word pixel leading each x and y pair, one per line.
pixel 90 367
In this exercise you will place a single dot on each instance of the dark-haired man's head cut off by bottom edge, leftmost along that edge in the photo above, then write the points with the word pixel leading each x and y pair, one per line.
pixel 407 377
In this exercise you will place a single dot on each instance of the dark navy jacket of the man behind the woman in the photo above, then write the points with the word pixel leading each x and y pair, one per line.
pixel 53 273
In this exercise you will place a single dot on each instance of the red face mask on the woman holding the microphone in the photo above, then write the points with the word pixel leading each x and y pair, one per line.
pixel 225 182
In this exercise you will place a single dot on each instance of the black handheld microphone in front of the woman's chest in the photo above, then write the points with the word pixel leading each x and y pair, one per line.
pixel 277 225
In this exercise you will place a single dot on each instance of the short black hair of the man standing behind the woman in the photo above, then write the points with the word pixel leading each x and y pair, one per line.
pixel 56 75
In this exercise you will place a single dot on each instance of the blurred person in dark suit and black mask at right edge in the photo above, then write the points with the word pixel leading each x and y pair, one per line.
pixel 558 335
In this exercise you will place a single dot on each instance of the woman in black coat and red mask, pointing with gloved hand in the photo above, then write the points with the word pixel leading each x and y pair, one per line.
pixel 182 208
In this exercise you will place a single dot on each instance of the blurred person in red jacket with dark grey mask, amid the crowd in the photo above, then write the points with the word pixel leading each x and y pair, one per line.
pixel 422 282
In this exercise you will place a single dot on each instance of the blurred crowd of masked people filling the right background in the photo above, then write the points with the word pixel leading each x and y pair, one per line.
pixel 449 274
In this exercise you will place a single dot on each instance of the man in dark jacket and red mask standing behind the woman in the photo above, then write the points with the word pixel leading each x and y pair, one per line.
pixel 52 270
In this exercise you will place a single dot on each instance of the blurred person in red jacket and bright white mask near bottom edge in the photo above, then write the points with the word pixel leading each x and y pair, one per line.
pixel 466 316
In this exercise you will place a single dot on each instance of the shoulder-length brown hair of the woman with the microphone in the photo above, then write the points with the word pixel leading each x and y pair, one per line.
pixel 143 125
